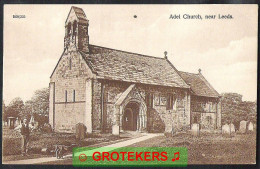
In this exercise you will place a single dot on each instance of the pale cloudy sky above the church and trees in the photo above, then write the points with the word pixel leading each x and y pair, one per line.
pixel 225 50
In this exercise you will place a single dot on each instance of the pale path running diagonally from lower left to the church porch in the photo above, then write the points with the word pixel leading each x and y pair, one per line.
pixel 51 159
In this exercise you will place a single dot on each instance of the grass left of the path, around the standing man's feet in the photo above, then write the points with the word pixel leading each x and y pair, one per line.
pixel 38 140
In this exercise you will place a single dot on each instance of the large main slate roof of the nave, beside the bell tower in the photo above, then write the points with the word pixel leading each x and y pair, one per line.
pixel 119 65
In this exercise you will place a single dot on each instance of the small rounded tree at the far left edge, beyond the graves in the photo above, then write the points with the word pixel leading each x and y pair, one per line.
pixel 14 109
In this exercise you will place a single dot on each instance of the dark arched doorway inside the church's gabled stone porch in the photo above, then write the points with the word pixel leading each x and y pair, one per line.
pixel 130 116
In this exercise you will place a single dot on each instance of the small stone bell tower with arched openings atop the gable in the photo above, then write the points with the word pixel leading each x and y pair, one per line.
pixel 76 30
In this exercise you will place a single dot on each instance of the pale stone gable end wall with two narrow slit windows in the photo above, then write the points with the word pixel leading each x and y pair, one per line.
pixel 69 77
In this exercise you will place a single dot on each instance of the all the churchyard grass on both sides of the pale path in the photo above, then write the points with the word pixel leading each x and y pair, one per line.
pixel 209 148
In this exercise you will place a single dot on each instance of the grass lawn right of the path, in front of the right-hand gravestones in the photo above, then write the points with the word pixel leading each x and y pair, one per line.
pixel 210 148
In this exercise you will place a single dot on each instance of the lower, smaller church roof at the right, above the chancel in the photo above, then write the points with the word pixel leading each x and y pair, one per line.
pixel 199 85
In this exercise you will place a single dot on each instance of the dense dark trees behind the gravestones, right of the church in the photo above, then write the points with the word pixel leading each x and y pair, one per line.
pixel 235 110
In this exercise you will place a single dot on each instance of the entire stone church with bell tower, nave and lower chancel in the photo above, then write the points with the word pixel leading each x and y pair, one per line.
pixel 111 90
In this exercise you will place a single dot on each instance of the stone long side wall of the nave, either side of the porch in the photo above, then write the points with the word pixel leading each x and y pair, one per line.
pixel 158 118
